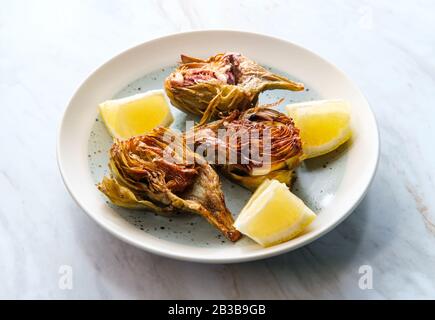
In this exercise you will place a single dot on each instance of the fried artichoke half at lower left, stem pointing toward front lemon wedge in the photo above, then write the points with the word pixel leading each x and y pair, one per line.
pixel 158 172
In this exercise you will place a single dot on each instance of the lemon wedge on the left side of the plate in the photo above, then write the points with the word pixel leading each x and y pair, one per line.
pixel 137 114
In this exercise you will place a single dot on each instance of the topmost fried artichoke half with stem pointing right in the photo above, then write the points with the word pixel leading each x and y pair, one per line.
pixel 220 84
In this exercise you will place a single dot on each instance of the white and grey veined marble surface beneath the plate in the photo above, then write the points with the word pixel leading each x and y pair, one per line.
pixel 47 48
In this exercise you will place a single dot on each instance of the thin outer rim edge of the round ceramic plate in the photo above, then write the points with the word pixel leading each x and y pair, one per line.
pixel 261 254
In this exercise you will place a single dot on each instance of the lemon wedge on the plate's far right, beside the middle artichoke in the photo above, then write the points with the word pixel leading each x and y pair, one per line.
pixel 324 125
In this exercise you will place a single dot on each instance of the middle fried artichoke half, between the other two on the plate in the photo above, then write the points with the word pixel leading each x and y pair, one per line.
pixel 251 146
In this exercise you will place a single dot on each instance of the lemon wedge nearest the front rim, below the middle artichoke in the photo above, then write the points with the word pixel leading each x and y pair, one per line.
pixel 273 215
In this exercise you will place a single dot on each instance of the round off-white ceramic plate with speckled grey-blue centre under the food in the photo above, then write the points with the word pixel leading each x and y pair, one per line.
pixel 331 185
